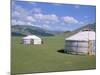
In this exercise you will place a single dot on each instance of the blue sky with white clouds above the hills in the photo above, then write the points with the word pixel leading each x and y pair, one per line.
pixel 52 16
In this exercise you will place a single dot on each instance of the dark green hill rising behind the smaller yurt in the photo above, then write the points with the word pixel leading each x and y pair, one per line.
pixel 22 30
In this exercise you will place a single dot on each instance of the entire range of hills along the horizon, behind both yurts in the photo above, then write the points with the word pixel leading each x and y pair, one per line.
pixel 23 30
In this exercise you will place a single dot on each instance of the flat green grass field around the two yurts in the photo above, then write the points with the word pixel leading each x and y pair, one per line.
pixel 46 58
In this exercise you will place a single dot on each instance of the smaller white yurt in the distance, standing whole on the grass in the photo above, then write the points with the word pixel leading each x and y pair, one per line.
pixel 31 39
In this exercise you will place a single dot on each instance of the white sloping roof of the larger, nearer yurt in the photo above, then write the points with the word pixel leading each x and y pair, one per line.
pixel 83 36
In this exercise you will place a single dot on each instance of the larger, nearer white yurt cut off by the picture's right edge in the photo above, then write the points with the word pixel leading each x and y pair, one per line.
pixel 83 42
